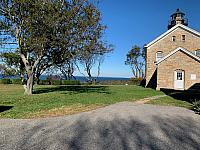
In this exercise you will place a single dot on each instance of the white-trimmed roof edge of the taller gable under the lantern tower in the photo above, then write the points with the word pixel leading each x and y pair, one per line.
pixel 171 30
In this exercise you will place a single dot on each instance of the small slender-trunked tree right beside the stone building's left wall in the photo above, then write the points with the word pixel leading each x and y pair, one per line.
pixel 136 60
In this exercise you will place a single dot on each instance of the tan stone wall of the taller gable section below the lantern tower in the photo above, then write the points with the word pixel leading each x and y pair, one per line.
pixel 166 45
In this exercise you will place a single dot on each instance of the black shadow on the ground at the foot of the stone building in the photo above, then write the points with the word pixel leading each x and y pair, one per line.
pixel 187 95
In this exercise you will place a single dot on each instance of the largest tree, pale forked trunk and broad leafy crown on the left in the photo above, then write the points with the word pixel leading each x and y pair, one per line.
pixel 45 29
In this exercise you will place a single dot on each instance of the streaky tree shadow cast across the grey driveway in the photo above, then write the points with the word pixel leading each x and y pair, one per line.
pixel 165 133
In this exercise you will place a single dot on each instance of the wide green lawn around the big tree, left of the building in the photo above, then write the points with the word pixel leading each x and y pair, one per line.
pixel 61 100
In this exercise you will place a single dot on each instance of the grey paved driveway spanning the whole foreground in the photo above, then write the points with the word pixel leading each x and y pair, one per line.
pixel 120 126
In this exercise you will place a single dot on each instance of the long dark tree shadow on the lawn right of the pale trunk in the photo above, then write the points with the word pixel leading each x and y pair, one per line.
pixel 74 89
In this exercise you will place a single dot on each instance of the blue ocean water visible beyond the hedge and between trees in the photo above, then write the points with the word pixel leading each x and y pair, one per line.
pixel 81 78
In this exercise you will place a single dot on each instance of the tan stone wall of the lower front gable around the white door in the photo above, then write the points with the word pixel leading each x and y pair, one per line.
pixel 178 61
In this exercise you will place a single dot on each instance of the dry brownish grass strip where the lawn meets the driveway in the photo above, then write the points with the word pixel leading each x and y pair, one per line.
pixel 65 111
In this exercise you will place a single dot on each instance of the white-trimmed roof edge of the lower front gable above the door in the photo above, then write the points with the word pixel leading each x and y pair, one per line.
pixel 179 49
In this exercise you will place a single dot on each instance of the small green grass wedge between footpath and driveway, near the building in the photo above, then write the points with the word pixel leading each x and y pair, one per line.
pixel 169 101
